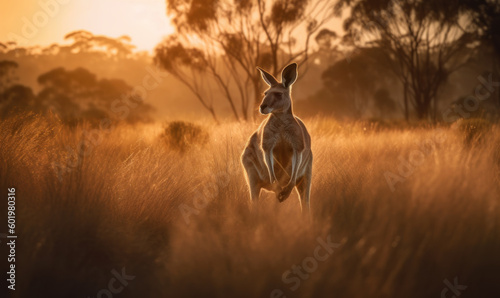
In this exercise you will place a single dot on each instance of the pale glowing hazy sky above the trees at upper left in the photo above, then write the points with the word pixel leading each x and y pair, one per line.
pixel 145 21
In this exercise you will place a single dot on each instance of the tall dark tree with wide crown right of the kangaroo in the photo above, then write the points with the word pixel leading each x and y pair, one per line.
pixel 424 37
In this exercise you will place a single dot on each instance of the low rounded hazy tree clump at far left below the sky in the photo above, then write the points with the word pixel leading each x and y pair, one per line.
pixel 76 96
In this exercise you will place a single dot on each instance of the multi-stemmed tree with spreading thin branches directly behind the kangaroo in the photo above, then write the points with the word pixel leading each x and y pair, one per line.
pixel 220 42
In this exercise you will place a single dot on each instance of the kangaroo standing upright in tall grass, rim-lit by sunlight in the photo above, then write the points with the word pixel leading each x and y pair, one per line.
pixel 278 156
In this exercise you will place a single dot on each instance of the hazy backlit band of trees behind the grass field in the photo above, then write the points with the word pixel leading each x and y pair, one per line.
pixel 412 60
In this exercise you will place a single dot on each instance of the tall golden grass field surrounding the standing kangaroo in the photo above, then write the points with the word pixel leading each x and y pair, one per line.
pixel 122 203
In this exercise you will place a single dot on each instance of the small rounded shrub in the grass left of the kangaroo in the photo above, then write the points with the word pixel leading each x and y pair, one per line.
pixel 182 136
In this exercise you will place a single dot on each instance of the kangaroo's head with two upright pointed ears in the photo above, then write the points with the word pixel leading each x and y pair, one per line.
pixel 277 98
